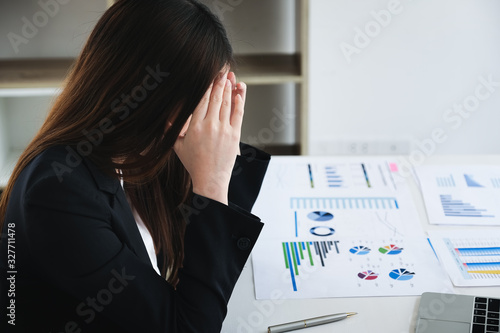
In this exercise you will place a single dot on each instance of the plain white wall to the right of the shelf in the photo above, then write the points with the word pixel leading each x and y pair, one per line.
pixel 400 84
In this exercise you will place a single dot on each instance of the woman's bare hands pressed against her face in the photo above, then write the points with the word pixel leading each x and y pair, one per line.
pixel 209 147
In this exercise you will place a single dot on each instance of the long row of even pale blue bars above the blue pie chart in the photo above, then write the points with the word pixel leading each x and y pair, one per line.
pixel 386 203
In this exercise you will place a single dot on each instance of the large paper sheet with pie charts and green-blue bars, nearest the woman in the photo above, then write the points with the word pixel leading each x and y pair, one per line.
pixel 339 241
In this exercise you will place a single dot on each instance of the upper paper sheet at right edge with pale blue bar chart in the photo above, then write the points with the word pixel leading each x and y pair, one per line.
pixel 462 195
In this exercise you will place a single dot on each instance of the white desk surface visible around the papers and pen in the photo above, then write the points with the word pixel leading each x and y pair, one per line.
pixel 375 314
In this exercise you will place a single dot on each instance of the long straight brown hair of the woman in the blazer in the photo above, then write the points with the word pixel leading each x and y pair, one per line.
pixel 147 63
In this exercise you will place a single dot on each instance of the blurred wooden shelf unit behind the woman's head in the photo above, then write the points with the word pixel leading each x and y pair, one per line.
pixel 269 38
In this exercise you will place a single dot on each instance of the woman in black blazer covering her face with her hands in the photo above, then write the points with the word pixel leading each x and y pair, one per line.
pixel 127 211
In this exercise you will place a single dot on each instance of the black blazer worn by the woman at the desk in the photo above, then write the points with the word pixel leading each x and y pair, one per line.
pixel 81 264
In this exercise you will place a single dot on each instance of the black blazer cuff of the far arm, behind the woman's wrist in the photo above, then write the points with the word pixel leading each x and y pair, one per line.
pixel 248 173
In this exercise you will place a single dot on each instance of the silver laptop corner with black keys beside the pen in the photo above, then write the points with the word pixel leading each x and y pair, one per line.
pixel 449 313
